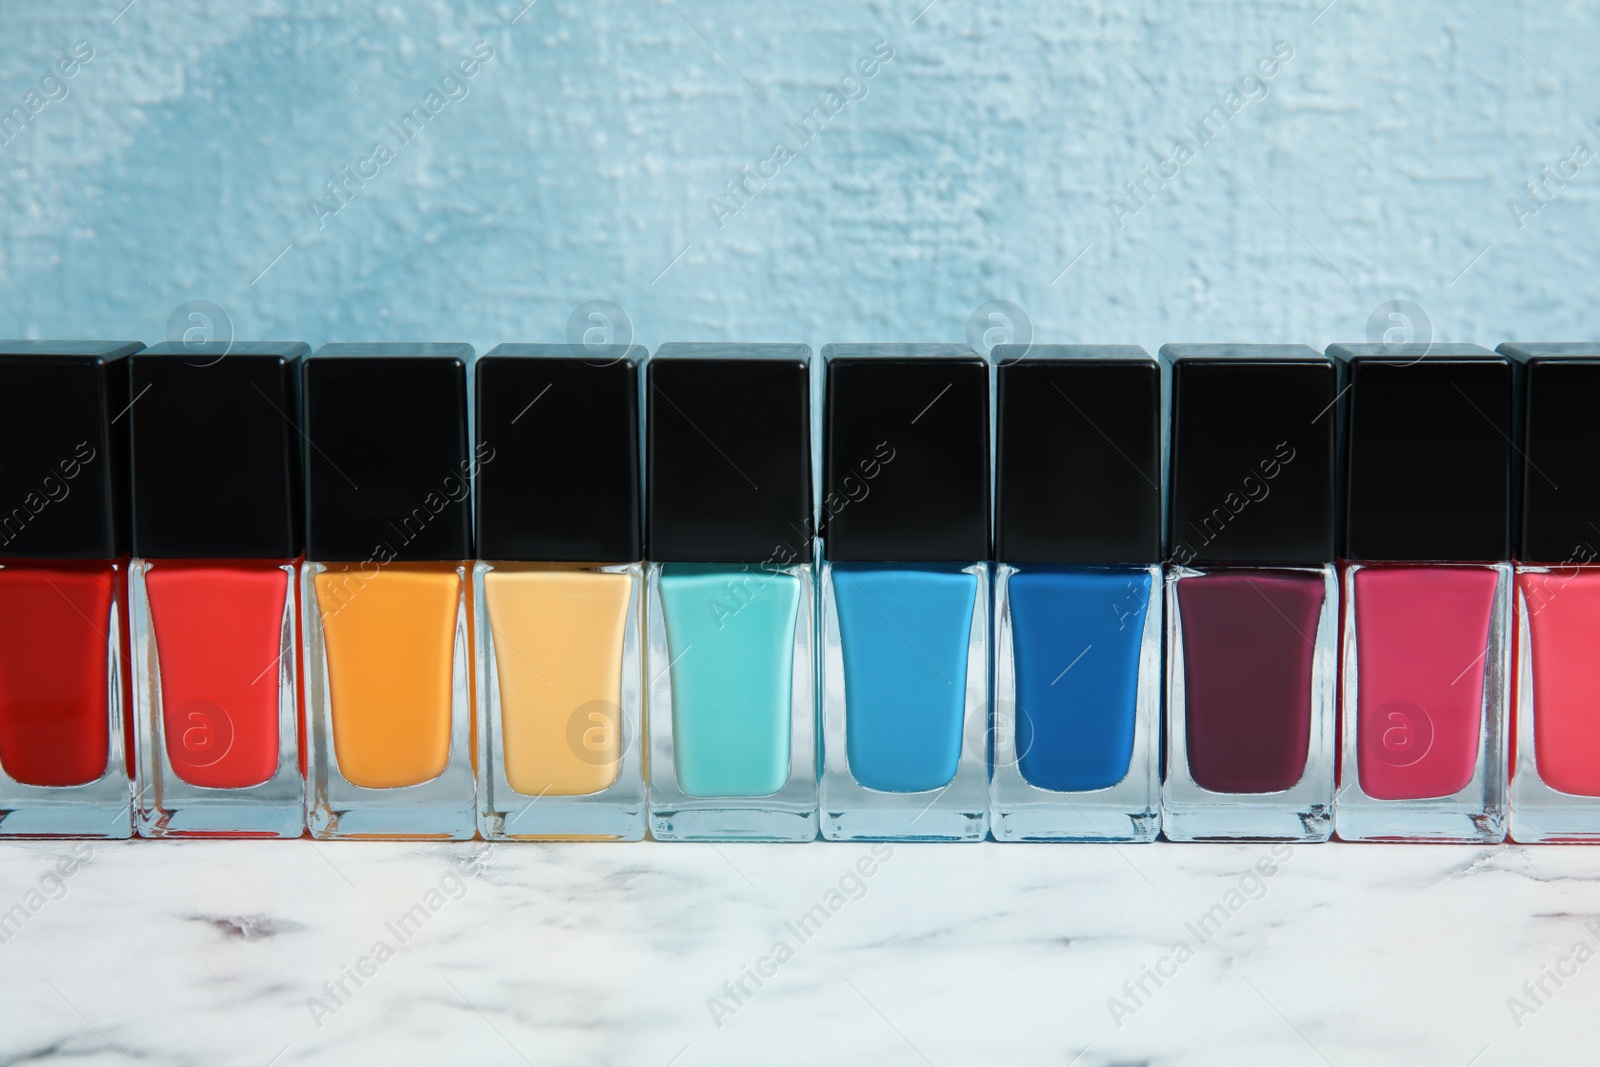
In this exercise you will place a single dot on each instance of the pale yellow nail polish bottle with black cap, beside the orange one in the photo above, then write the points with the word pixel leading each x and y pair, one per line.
pixel 559 594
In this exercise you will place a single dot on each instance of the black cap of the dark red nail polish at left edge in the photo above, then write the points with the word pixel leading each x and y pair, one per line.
pixel 63 450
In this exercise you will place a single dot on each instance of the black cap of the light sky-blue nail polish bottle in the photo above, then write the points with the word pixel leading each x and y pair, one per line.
pixel 906 454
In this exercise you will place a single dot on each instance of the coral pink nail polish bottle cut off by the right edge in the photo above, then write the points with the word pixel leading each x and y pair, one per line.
pixel 1554 733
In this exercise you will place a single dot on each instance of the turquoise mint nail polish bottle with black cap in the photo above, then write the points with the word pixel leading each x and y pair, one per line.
pixel 732 708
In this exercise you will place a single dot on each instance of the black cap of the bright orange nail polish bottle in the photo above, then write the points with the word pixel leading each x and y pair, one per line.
pixel 388 463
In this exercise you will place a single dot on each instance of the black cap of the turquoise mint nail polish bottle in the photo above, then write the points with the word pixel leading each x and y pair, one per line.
pixel 729 454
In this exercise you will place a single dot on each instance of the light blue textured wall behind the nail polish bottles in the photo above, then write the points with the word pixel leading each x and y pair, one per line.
pixel 980 162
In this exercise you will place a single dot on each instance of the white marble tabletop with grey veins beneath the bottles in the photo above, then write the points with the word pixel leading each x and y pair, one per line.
pixel 234 953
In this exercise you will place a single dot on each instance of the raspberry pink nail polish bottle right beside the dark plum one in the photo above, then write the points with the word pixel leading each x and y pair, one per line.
pixel 1430 502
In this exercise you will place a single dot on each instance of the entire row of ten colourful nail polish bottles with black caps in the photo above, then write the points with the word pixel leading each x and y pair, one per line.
pixel 506 695
